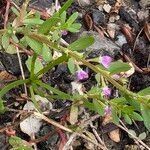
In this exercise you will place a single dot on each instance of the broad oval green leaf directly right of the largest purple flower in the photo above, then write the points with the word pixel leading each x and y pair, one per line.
pixel 118 66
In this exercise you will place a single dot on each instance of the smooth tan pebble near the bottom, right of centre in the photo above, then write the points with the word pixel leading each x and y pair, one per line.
pixel 115 135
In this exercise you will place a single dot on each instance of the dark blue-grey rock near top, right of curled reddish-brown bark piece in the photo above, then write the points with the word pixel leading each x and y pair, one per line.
pixel 98 17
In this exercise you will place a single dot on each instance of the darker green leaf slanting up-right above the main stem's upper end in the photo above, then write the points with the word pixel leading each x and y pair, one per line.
pixel 46 27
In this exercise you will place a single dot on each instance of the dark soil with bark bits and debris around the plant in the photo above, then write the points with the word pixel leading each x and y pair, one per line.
pixel 61 78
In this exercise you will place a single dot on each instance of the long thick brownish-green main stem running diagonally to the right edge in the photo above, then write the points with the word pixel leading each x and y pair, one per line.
pixel 72 54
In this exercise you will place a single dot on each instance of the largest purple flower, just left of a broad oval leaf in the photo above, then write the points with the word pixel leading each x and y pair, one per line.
pixel 106 61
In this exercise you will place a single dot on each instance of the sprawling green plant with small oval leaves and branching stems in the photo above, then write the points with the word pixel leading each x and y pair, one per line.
pixel 43 38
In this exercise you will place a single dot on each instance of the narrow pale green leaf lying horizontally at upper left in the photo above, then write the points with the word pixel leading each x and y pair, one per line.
pixel 33 21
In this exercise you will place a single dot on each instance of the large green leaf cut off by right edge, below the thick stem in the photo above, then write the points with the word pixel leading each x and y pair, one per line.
pixel 145 111
